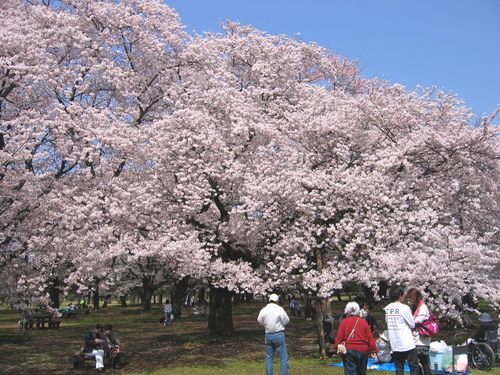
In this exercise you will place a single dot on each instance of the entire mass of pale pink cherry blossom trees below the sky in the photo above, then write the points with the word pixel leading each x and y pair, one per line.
pixel 134 155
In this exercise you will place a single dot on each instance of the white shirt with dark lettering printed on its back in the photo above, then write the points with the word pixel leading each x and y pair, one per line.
pixel 400 322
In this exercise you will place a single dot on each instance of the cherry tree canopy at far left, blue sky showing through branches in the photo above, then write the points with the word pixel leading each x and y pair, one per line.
pixel 77 78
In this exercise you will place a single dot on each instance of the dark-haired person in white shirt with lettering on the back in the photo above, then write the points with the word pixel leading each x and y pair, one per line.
pixel 400 323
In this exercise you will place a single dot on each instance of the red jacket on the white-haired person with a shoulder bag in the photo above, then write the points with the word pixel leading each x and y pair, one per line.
pixel 362 341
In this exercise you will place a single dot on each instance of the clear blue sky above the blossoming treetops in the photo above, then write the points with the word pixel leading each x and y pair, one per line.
pixel 451 44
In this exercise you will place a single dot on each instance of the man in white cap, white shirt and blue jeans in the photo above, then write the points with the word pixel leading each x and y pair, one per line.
pixel 274 318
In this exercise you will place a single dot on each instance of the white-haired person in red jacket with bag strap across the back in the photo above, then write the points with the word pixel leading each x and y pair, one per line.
pixel 355 332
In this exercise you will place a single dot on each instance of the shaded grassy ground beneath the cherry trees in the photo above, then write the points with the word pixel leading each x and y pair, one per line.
pixel 150 348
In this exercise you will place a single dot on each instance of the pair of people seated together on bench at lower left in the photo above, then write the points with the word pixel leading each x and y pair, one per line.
pixel 102 342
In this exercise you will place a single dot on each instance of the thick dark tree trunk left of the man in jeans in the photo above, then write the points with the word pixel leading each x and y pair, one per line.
pixel 220 316
